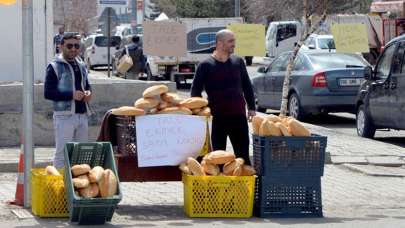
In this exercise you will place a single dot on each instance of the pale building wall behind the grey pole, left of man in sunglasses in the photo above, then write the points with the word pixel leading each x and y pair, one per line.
pixel 11 61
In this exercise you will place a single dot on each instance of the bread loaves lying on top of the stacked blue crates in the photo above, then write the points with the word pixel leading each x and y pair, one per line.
pixel 272 125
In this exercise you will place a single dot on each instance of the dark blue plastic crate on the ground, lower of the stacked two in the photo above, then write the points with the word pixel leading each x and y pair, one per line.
pixel 289 198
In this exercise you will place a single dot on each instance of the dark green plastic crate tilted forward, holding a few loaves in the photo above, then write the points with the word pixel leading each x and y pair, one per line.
pixel 93 210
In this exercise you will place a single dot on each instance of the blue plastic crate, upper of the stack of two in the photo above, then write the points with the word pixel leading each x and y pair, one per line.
pixel 299 156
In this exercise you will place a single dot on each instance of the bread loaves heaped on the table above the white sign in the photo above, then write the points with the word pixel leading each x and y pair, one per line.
pixel 157 100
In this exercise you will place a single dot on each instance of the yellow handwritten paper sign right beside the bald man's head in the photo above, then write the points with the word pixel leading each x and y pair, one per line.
pixel 249 39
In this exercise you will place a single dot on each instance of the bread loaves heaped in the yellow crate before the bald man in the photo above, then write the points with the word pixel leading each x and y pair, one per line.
pixel 211 165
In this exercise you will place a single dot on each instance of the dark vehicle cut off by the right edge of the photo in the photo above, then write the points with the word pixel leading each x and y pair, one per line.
pixel 381 98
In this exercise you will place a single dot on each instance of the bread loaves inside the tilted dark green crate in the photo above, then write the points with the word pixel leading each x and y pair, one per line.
pixel 91 183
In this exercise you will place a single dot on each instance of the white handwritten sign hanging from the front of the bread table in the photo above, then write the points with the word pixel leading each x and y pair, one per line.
pixel 168 139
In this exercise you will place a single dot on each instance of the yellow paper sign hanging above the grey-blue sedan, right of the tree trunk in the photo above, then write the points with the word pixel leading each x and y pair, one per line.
pixel 350 38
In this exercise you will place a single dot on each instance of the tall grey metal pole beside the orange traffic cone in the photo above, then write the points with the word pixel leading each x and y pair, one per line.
pixel 28 95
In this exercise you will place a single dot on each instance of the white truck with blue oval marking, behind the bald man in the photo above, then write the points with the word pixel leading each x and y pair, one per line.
pixel 200 44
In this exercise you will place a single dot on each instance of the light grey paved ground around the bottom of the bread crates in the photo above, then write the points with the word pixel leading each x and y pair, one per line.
pixel 349 200
